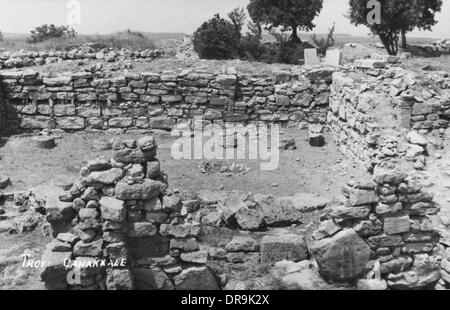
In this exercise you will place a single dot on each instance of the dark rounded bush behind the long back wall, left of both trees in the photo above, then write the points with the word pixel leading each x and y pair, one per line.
pixel 216 39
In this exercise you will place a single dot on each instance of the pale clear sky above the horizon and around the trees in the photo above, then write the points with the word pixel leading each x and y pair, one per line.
pixel 107 16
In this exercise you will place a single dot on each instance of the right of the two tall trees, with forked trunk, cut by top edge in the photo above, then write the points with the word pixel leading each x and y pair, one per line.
pixel 397 17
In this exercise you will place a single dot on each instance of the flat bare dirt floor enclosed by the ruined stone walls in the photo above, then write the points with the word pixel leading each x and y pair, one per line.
pixel 307 169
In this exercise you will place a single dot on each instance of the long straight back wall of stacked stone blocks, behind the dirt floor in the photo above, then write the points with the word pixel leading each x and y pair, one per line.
pixel 98 100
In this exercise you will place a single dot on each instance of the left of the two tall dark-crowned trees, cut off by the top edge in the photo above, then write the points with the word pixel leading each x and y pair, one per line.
pixel 288 14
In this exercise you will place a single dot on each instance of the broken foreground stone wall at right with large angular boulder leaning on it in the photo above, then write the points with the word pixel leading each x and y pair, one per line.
pixel 384 224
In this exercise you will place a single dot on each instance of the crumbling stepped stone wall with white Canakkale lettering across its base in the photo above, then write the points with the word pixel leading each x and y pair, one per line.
pixel 118 228
